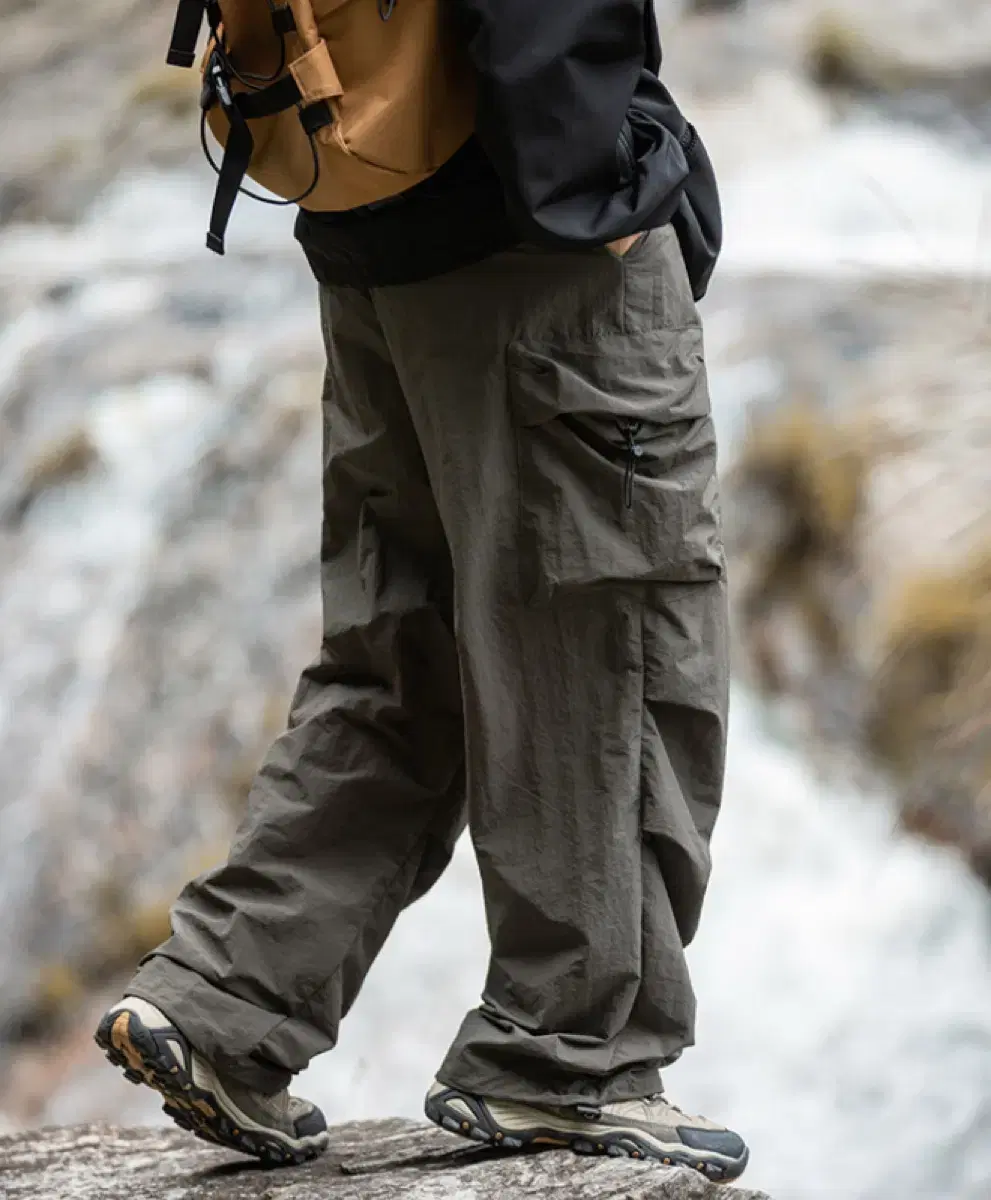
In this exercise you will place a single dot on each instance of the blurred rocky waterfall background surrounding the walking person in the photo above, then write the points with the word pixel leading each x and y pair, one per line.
pixel 160 430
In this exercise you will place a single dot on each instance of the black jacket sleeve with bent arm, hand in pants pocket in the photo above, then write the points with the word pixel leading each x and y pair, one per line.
pixel 587 142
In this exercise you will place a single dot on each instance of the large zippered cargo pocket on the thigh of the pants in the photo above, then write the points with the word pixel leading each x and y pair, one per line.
pixel 617 464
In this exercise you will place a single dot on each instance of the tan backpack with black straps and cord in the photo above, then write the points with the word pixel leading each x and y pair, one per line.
pixel 332 105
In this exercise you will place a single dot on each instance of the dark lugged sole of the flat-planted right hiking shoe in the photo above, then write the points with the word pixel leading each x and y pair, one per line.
pixel 483 1129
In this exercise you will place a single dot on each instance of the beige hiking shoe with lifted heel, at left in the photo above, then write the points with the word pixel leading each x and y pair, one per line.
pixel 280 1130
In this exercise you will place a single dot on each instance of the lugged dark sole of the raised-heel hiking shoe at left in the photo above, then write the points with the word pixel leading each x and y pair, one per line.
pixel 129 1045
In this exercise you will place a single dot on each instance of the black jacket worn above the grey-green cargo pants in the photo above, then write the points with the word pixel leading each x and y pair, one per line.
pixel 579 143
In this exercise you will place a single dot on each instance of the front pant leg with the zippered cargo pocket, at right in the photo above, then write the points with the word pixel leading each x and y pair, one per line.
pixel 592 631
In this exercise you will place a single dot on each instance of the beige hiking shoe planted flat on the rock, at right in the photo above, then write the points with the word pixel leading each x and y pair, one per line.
pixel 647 1130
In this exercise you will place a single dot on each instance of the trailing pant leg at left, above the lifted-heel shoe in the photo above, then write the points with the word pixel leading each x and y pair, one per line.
pixel 357 808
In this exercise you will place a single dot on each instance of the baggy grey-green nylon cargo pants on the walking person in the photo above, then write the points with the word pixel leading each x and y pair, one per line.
pixel 525 629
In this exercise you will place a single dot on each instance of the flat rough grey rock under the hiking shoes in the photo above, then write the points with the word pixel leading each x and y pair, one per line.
pixel 369 1161
